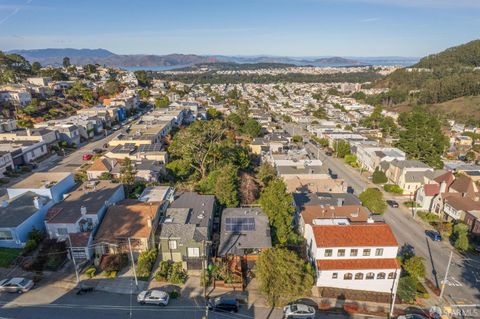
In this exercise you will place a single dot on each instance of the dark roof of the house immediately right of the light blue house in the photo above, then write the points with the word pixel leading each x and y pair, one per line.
pixel 85 195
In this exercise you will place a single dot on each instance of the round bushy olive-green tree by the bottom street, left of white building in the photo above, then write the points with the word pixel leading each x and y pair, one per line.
pixel 292 277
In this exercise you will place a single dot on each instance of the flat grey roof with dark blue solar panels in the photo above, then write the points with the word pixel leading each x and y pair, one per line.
pixel 243 228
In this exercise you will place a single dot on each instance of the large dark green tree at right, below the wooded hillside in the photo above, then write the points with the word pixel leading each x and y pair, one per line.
pixel 422 137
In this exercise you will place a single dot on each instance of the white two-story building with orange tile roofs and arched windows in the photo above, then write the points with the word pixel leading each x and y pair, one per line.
pixel 353 257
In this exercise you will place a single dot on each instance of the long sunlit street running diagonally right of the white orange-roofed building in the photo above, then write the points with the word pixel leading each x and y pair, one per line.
pixel 463 283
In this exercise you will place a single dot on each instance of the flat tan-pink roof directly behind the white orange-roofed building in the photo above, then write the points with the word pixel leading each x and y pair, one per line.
pixel 355 213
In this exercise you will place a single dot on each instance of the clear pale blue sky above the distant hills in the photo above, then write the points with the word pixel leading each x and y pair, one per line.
pixel 242 27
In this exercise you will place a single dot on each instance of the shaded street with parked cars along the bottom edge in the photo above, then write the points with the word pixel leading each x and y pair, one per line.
pixel 56 303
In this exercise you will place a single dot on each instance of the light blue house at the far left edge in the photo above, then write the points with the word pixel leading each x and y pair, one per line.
pixel 20 215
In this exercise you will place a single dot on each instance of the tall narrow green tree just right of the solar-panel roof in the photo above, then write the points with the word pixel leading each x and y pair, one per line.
pixel 278 206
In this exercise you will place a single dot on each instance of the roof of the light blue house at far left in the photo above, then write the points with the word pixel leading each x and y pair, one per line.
pixel 19 209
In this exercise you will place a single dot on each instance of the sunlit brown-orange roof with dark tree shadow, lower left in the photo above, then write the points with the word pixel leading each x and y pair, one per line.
pixel 127 219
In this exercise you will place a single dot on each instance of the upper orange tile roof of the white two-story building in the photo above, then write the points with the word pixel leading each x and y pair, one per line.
pixel 358 235
